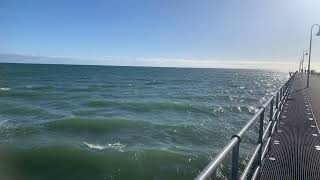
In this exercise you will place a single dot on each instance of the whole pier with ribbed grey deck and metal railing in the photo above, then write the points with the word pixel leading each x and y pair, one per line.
pixel 288 145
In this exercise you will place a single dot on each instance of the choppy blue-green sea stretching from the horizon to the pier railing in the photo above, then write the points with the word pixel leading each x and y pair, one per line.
pixel 98 122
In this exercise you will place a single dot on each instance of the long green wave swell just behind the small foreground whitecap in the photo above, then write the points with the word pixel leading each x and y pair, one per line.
pixel 183 133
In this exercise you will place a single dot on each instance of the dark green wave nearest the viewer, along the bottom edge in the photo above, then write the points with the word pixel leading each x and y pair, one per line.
pixel 74 163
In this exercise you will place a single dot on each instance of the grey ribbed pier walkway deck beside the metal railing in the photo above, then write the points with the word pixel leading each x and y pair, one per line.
pixel 295 149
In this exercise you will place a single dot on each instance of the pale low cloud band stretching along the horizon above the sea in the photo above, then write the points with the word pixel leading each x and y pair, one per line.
pixel 272 65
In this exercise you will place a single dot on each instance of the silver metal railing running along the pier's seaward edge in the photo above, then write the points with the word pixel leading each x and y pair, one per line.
pixel 276 104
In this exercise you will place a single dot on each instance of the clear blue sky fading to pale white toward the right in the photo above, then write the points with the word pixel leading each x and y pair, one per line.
pixel 161 32
